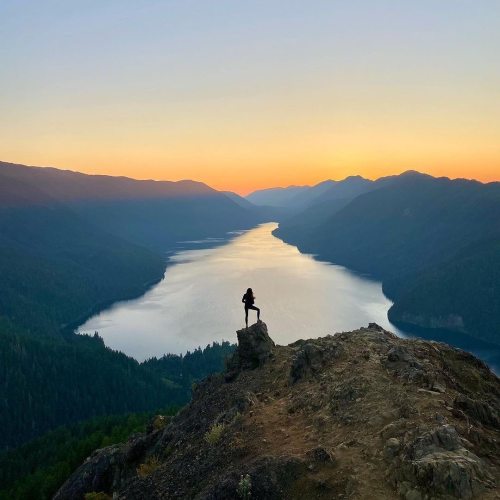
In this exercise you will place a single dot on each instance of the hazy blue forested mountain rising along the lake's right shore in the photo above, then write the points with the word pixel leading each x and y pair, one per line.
pixel 432 241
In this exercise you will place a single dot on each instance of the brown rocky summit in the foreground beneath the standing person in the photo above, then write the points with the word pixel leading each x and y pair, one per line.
pixel 361 414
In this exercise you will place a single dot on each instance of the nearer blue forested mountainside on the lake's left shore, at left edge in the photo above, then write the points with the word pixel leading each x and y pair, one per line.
pixel 56 268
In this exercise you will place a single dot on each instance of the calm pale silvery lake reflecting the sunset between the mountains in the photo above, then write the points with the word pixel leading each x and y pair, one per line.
pixel 199 299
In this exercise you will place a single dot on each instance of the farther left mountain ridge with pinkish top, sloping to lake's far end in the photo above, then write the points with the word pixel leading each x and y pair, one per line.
pixel 155 214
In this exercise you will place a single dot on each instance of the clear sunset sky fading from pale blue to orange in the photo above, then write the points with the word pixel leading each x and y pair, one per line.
pixel 250 94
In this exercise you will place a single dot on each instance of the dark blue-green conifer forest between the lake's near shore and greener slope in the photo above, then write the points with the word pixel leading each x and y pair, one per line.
pixel 50 381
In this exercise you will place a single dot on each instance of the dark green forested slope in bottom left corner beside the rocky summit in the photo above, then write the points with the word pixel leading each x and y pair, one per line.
pixel 36 470
